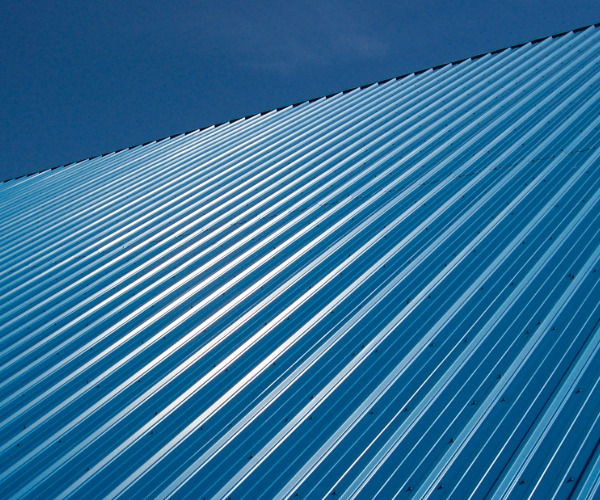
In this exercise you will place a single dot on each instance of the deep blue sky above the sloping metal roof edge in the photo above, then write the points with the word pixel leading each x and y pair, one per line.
pixel 83 78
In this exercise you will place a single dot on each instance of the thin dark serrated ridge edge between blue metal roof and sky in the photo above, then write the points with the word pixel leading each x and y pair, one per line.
pixel 314 99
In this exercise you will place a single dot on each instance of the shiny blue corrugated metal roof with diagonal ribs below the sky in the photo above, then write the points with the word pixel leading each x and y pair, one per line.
pixel 390 292
